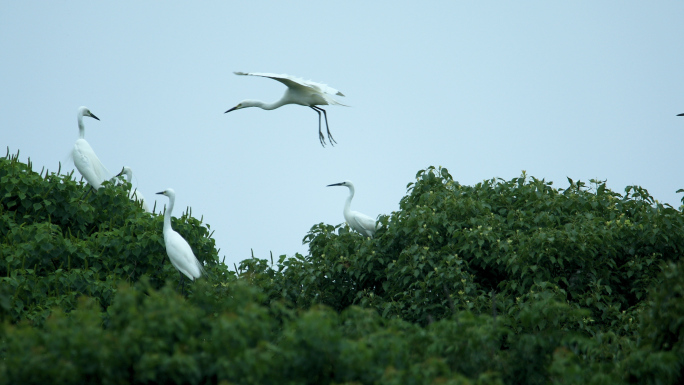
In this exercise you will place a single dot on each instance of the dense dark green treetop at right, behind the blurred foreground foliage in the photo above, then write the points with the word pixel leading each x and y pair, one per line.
pixel 454 247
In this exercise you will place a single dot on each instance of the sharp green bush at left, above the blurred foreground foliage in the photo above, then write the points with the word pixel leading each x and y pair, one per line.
pixel 59 241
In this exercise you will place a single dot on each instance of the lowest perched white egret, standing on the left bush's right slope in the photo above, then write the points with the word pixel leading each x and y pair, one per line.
pixel 177 248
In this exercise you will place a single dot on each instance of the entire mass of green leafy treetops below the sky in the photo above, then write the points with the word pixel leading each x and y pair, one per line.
pixel 504 282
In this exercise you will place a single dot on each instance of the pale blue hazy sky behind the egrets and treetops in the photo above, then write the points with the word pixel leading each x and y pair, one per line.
pixel 580 89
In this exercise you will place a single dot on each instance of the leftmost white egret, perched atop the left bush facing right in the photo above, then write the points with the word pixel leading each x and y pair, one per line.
pixel 85 160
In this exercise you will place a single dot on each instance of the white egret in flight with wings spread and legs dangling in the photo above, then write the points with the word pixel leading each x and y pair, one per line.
pixel 299 91
